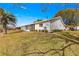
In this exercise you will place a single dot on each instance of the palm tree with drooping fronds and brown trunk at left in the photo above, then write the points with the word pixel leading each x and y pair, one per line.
pixel 6 19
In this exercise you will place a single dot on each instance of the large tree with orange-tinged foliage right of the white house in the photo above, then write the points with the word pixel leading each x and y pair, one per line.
pixel 68 16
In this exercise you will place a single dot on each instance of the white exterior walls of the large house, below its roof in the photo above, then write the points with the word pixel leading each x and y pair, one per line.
pixel 54 25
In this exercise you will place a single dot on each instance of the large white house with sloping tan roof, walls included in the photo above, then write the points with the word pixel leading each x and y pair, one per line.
pixel 50 25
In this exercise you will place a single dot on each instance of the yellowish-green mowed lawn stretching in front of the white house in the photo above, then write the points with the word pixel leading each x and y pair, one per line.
pixel 36 43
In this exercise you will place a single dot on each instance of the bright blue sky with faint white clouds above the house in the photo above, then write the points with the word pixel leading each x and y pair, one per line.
pixel 27 13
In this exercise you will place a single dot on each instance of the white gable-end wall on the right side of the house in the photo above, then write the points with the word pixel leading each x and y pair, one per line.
pixel 58 24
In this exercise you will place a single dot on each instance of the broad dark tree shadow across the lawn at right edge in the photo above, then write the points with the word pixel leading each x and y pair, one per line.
pixel 68 37
